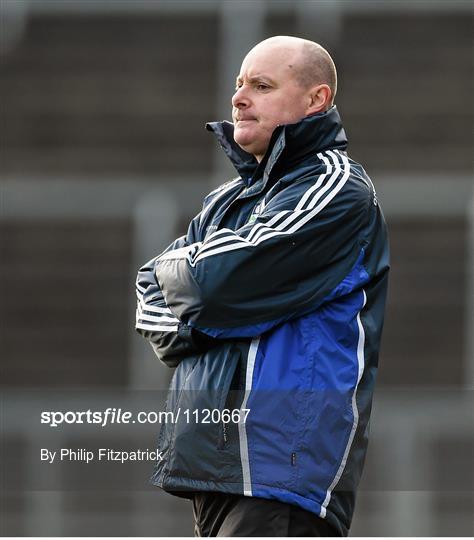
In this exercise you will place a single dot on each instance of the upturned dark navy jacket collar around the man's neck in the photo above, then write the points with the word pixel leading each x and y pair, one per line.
pixel 289 144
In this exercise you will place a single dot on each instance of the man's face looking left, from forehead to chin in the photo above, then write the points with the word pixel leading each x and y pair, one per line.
pixel 267 95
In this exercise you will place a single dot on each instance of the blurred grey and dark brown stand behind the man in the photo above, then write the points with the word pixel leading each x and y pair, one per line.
pixel 104 160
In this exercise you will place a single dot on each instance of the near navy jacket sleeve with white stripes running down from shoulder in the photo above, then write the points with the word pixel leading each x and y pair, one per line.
pixel 284 264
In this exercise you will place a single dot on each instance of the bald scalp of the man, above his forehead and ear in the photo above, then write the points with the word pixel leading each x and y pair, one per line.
pixel 312 64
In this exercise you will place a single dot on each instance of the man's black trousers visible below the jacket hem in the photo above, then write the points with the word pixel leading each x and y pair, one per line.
pixel 219 514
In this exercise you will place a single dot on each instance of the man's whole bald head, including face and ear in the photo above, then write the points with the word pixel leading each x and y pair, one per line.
pixel 281 81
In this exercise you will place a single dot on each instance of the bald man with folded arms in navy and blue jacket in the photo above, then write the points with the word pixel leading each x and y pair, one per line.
pixel 271 310
